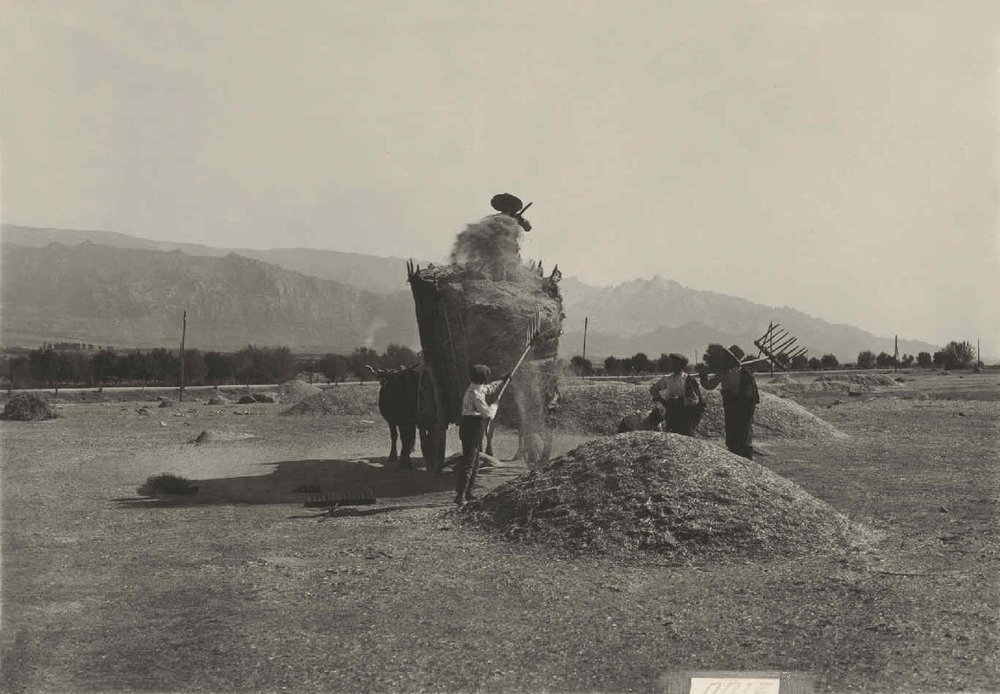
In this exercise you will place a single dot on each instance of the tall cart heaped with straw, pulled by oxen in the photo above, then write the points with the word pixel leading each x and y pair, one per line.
pixel 465 317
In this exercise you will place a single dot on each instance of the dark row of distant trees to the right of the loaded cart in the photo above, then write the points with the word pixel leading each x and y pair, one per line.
pixel 956 355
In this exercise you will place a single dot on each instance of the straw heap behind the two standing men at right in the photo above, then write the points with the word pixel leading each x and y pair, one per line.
pixel 597 408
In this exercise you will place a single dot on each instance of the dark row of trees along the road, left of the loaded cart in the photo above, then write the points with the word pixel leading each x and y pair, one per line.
pixel 51 367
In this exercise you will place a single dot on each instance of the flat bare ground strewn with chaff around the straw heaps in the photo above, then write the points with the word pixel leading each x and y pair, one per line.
pixel 241 588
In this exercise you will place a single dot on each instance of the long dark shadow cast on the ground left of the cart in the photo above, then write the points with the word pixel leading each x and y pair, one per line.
pixel 299 481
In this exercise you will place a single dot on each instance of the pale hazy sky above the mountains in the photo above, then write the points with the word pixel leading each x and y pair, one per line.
pixel 839 157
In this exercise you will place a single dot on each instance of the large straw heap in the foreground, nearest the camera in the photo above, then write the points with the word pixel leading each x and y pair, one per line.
pixel 660 494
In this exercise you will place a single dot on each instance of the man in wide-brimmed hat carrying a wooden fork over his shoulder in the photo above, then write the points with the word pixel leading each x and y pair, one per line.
pixel 739 395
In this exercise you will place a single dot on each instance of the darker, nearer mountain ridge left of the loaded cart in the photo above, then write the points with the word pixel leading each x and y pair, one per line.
pixel 127 297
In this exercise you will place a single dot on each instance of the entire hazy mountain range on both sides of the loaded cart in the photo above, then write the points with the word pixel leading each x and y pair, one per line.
pixel 108 288
